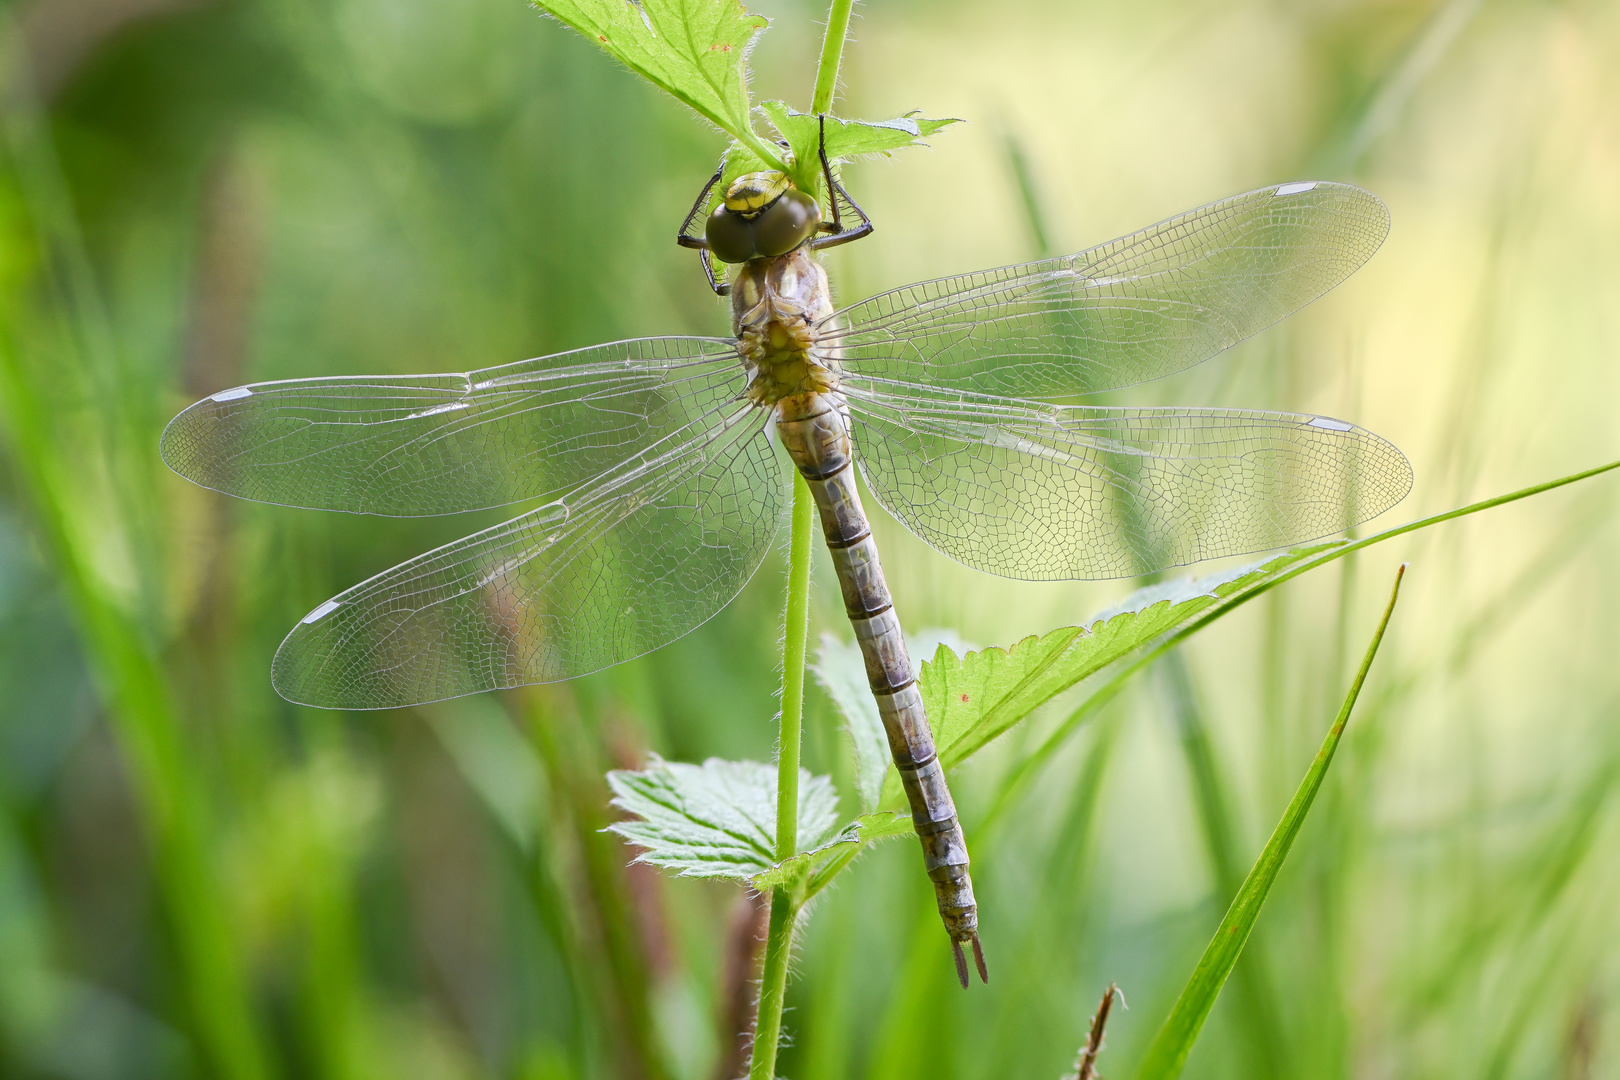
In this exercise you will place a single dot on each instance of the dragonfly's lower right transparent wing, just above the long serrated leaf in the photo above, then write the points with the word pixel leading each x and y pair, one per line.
pixel 1049 493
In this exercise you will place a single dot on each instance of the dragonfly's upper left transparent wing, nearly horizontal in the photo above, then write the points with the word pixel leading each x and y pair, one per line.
pixel 420 446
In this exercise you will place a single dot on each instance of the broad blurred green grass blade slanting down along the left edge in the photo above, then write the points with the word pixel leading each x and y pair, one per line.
pixel 215 982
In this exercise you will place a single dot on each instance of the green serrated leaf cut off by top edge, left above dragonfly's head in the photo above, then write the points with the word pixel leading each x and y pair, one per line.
pixel 697 51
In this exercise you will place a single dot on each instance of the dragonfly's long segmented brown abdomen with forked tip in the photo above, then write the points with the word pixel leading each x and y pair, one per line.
pixel 816 432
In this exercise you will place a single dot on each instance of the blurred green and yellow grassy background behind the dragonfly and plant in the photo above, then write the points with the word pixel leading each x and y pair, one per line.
pixel 198 880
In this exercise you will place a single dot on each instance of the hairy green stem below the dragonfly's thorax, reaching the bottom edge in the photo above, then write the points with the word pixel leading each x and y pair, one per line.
pixel 787 898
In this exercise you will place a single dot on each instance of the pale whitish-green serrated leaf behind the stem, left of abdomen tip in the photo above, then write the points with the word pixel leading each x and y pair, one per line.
pixel 717 820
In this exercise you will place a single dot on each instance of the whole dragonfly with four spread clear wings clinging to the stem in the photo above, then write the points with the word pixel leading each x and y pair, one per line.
pixel 654 464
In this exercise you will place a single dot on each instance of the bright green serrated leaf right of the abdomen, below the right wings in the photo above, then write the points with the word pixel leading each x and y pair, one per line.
pixel 974 699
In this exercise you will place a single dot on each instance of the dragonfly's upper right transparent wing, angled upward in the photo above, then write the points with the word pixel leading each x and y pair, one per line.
pixel 1133 310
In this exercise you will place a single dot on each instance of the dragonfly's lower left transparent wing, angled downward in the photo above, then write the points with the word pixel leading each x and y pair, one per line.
pixel 616 569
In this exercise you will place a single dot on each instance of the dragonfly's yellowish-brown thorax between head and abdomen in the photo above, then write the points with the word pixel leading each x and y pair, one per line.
pixel 777 308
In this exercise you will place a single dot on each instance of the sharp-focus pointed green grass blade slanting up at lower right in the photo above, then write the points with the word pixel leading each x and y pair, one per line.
pixel 1170 1048
